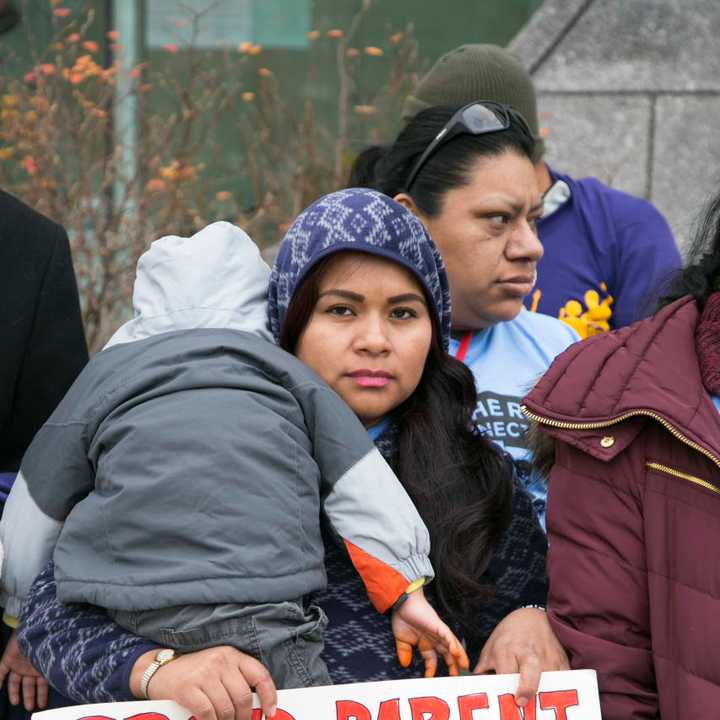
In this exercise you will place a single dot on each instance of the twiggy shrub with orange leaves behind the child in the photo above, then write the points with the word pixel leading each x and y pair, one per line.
pixel 59 152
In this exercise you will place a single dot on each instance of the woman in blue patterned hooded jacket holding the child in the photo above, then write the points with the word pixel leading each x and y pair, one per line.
pixel 345 293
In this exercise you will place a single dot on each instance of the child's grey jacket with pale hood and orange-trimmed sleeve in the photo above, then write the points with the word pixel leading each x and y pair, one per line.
pixel 188 462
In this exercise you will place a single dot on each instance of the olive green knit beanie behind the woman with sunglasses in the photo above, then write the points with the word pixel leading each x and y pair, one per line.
pixel 478 72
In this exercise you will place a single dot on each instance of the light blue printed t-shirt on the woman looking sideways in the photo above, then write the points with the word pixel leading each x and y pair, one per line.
pixel 507 359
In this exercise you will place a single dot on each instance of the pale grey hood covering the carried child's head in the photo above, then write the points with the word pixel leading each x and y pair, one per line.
pixel 215 278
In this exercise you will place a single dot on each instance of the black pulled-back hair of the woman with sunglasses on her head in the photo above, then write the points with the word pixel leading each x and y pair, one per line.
pixel 386 168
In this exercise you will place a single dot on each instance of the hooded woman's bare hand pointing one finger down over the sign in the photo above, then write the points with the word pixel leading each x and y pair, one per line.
pixel 523 642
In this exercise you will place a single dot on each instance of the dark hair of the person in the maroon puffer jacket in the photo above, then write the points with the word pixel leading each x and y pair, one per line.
pixel 701 276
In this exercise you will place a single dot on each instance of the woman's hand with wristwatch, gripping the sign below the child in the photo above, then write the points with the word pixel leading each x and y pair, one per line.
pixel 213 684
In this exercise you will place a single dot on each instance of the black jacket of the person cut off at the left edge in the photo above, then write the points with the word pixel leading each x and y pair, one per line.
pixel 42 343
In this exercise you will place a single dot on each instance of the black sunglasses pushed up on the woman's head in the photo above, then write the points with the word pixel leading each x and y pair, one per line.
pixel 476 118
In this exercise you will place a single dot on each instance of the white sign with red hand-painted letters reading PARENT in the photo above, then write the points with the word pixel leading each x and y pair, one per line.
pixel 571 695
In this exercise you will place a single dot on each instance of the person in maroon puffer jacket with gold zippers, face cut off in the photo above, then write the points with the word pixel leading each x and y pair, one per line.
pixel 634 500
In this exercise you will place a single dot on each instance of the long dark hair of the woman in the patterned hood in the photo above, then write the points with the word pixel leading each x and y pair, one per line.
pixel 459 482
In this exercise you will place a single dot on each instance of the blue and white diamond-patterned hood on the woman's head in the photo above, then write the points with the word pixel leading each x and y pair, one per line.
pixel 365 221
